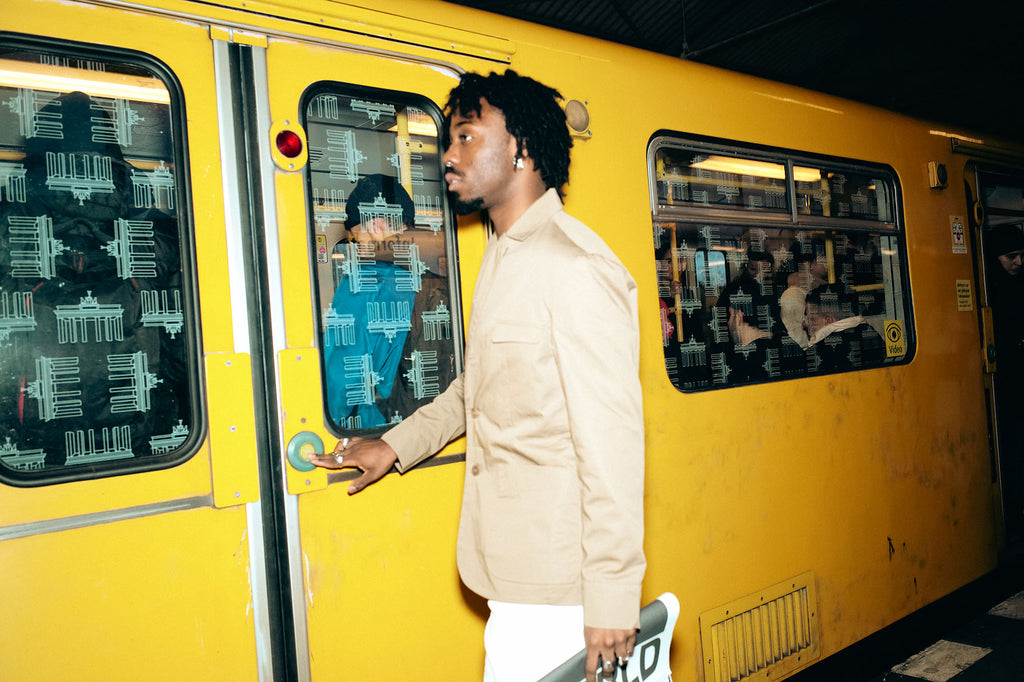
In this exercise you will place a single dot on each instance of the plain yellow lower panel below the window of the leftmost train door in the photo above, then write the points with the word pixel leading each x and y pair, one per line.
pixel 161 599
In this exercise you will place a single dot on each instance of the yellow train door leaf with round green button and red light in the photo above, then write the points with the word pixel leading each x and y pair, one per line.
pixel 366 325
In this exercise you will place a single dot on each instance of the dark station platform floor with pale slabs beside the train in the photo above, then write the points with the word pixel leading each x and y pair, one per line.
pixel 974 635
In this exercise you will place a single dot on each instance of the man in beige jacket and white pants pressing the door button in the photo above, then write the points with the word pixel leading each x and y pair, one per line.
pixel 552 521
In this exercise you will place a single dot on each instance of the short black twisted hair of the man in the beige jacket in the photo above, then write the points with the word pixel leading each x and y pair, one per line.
pixel 532 113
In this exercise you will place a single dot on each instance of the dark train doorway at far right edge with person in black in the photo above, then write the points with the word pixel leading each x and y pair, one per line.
pixel 999 223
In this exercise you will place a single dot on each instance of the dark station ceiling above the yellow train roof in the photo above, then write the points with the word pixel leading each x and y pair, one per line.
pixel 962 65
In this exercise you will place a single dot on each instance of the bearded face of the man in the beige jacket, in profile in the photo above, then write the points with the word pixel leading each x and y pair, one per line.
pixel 480 159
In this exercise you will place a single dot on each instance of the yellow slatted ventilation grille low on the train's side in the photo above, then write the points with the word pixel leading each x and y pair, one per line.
pixel 764 635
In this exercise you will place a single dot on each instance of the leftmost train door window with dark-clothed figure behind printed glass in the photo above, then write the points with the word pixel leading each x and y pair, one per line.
pixel 99 358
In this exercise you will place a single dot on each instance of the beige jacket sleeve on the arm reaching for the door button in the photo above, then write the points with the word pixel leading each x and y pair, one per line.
pixel 429 430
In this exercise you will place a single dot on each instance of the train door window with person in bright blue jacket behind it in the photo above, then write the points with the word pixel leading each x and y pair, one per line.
pixel 383 243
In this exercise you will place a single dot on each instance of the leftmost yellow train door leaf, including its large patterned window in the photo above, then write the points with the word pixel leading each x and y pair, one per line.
pixel 131 541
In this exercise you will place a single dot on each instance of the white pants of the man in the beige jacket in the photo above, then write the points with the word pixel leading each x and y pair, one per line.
pixel 525 643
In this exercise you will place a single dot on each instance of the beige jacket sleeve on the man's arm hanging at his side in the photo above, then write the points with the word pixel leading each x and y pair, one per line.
pixel 596 340
